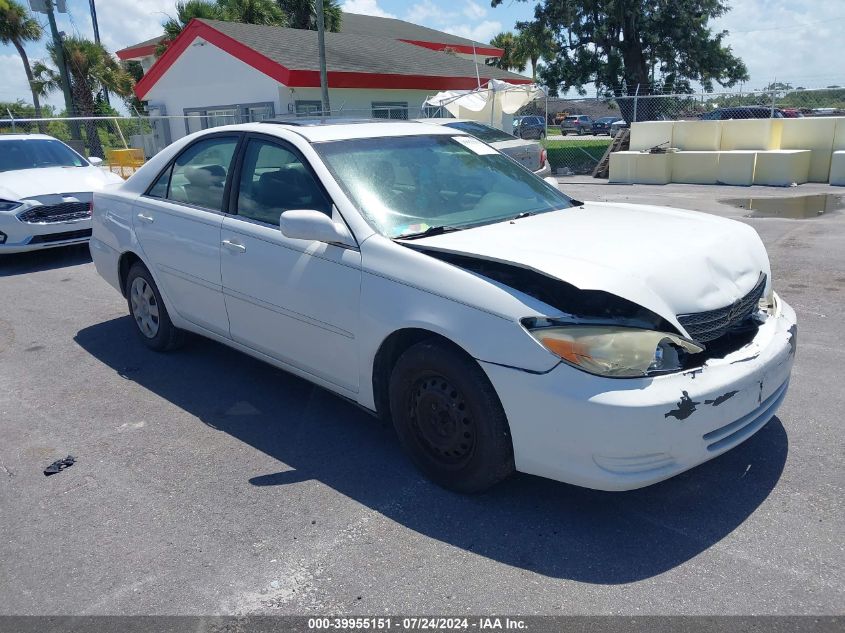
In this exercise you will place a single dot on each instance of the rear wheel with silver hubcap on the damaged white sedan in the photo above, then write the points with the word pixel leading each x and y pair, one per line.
pixel 148 311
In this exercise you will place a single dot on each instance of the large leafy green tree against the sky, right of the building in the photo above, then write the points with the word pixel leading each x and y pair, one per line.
pixel 628 46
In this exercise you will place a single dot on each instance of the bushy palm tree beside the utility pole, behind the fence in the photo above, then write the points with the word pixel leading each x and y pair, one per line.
pixel 91 69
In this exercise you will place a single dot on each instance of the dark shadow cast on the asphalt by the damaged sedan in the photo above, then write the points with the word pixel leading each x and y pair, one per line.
pixel 527 522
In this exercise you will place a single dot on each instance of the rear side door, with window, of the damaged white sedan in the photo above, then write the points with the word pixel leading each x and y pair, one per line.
pixel 177 223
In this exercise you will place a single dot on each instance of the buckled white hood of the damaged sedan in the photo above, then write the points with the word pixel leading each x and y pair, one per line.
pixel 667 260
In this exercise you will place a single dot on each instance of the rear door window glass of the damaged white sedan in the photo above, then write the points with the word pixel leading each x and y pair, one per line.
pixel 199 174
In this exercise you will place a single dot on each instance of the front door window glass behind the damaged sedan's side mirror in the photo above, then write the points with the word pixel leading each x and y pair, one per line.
pixel 273 180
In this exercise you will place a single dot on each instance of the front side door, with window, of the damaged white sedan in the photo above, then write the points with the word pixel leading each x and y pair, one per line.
pixel 294 300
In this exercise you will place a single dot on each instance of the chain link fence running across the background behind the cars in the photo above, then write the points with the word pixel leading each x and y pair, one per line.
pixel 572 150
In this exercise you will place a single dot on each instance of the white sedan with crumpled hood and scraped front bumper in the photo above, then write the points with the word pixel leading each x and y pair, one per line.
pixel 417 271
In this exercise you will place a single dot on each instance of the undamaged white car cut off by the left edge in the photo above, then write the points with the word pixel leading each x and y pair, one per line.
pixel 46 191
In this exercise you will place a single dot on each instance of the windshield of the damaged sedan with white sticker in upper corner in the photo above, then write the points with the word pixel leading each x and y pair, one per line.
pixel 410 184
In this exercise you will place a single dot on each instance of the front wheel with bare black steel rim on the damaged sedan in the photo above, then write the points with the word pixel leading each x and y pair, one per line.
pixel 464 442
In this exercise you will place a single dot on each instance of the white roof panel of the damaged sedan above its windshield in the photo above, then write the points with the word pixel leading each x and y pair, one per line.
pixel 316 130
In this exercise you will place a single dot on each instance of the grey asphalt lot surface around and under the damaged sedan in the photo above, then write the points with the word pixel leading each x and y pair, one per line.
pixel 206 482
